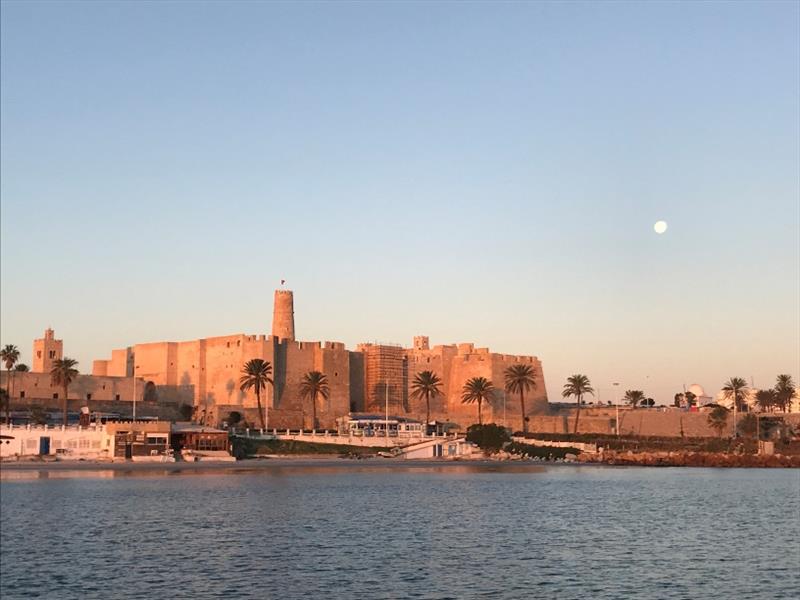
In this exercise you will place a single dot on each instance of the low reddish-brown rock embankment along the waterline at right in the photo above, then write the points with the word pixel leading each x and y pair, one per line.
pixel 690 459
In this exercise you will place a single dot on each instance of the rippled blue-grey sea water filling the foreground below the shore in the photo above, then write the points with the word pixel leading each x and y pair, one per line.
pixel 363 531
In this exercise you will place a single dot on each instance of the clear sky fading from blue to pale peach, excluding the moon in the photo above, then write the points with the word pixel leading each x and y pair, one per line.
pixel 484 172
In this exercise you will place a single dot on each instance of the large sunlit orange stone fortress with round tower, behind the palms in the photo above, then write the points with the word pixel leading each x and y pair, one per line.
pixel 205 373
